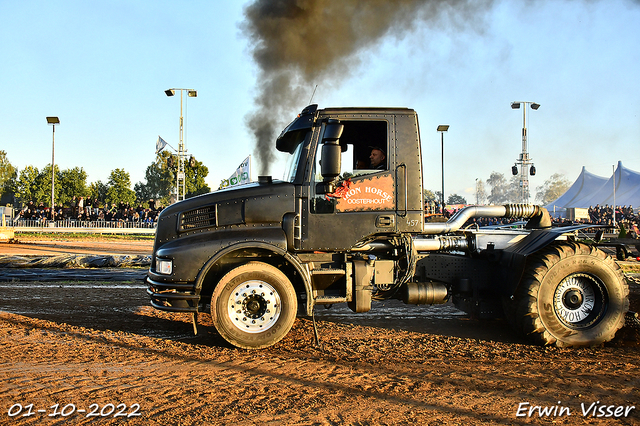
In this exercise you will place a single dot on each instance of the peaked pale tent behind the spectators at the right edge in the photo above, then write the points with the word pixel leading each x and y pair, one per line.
pixel 589 190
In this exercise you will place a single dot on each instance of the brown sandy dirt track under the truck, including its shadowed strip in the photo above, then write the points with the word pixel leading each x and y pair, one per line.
pixel 95 353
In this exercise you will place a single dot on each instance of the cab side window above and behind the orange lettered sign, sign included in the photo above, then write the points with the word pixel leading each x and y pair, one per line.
pixel 364 156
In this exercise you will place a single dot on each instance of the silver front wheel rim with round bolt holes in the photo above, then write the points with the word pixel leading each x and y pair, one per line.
pixel 254 306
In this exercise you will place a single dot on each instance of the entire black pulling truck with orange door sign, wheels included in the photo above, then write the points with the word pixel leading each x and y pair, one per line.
pixel 339 229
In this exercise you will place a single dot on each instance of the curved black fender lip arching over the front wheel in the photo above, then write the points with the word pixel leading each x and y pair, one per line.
pixel 291 259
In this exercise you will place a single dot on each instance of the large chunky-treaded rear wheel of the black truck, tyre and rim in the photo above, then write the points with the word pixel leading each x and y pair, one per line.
pixel 571 295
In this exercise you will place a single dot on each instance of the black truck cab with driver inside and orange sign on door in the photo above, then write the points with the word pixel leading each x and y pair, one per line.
pixel 345 206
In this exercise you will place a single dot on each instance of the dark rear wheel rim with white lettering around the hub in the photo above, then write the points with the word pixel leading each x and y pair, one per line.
pixel 579 300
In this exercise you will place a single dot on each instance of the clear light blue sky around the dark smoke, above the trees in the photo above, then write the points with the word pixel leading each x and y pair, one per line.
pixel 102 67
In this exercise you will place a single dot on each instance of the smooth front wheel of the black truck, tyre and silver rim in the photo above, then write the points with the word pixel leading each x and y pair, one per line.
pixel 254 306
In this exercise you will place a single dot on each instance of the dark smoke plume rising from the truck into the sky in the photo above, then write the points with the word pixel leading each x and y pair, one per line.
pixel 300 43
